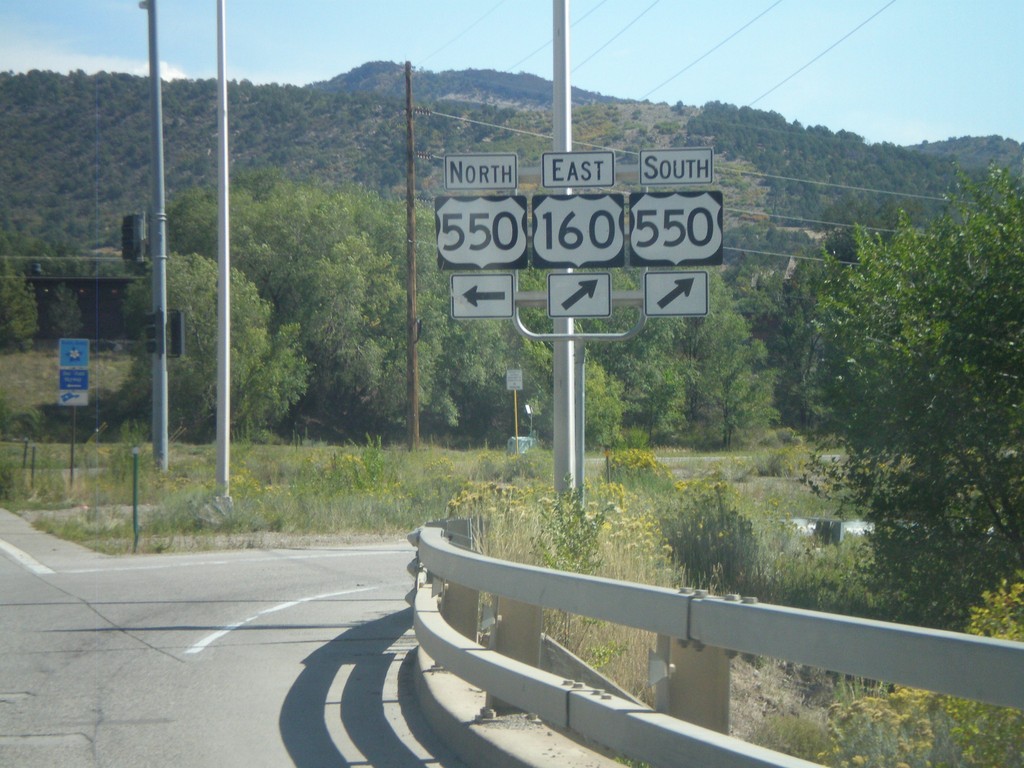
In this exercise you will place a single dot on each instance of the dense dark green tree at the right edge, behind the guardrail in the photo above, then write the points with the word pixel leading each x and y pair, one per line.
pixel 925 350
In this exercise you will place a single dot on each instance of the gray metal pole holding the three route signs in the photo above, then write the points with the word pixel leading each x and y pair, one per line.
pixel 565 418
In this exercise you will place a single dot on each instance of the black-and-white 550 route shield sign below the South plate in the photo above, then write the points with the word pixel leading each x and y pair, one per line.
pixel 682 229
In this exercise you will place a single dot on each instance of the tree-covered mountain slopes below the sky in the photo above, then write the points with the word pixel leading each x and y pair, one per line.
pixel 76 148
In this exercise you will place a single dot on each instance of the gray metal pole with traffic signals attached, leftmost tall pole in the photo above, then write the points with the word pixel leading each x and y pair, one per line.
pixel 158 251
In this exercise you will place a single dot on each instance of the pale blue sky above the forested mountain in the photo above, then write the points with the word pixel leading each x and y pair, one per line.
pixel 898 71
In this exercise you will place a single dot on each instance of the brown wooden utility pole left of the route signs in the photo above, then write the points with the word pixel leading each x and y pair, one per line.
pixel 412 322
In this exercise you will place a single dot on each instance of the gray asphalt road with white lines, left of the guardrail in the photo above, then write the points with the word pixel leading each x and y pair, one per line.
pixel 254 658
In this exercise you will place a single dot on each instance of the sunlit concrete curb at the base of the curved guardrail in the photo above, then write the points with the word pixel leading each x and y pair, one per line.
pixel 452 707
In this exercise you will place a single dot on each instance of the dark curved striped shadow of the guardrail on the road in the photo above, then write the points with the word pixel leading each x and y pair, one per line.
pixel 368 651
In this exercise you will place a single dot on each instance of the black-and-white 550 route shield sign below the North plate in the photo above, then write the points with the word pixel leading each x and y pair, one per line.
pixel 482 233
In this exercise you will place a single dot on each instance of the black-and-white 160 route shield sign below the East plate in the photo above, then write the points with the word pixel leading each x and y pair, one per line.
pixel 579 231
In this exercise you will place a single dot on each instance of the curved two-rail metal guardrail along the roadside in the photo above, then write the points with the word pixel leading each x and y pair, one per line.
pixel 706 630
